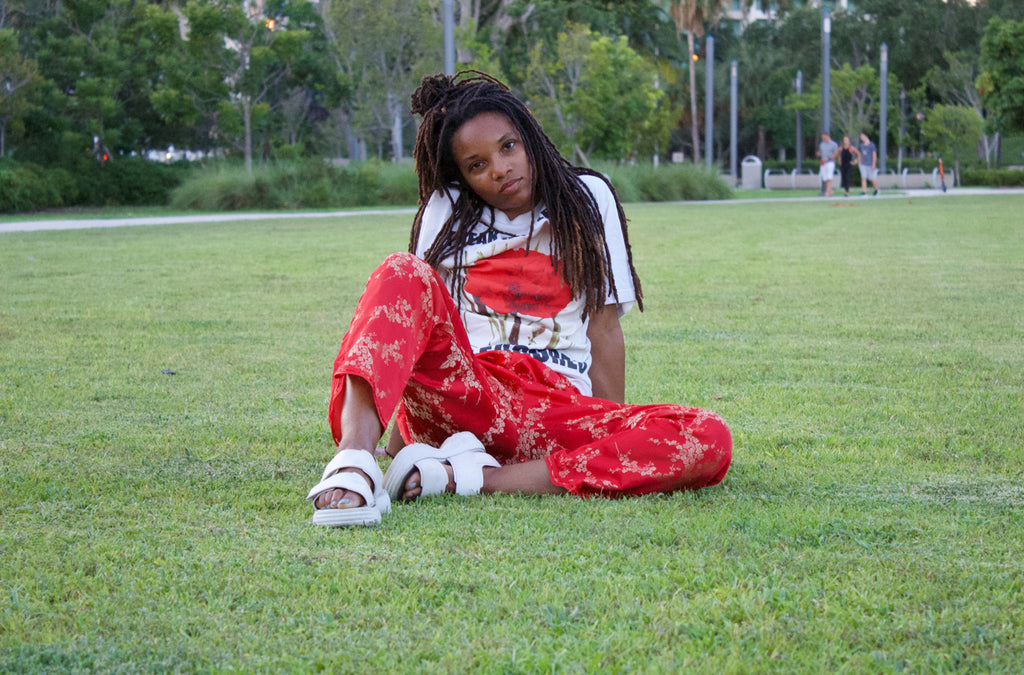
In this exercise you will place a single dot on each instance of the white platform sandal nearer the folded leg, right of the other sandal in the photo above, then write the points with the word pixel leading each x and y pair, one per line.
pixel 463 452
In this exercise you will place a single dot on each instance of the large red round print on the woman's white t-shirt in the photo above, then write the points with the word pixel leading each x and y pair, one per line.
pixel 520 282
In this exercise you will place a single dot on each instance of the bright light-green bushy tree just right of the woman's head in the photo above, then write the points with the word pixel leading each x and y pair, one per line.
pixel 595 96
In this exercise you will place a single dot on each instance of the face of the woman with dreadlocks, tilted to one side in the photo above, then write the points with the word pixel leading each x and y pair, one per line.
pixel 493 161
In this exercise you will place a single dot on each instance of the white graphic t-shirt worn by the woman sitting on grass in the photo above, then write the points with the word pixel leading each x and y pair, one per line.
pixel 515 299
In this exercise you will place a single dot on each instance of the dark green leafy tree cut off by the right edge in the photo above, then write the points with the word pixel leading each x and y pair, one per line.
pixel 1002 80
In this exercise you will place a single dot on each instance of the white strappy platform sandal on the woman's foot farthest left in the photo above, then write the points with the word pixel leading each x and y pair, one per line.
pixel 377 500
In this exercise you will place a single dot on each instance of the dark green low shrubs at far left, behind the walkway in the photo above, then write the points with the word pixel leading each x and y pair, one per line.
pixel 130 182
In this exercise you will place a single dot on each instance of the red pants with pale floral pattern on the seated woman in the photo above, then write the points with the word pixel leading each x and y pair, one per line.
pixel 408 342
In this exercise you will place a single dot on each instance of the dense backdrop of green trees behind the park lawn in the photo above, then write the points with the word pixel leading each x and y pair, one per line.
pixel 336 77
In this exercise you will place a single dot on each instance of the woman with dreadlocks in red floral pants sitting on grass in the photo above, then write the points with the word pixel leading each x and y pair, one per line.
pixel 497 340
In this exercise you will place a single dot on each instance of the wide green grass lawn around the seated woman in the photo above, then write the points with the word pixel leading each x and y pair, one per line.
pixel 868 356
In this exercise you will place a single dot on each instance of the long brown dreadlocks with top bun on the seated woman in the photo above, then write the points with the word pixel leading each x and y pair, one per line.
pixel 446 103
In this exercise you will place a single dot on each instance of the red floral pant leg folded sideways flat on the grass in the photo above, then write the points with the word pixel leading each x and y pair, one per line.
pixel 598 447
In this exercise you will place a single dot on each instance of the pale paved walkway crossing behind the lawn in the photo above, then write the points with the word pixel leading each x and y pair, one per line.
pixel 84 224
